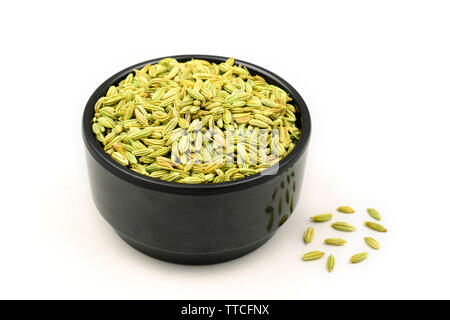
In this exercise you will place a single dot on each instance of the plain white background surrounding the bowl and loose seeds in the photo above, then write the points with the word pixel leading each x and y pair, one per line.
pixel 375 75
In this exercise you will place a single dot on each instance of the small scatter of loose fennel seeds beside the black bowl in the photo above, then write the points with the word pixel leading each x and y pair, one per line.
pixel 308 236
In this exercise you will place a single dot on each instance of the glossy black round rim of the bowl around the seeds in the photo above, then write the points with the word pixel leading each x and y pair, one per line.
pixel 97 152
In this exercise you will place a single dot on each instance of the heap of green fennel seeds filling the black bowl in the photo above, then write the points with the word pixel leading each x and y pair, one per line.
pixel 161 117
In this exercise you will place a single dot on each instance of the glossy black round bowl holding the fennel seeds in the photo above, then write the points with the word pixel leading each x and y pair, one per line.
pixel 195 224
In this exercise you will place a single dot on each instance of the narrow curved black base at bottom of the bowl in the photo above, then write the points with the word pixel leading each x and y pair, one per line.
pixel 194 258
